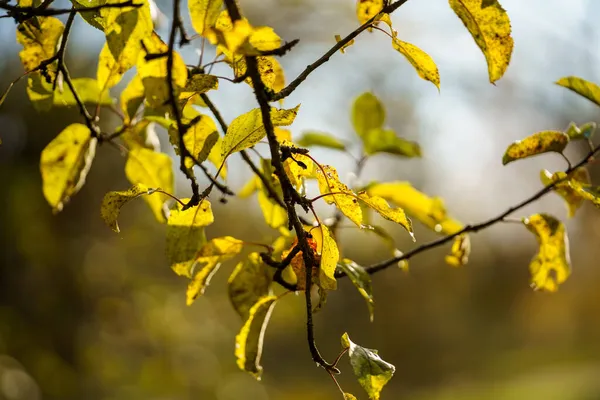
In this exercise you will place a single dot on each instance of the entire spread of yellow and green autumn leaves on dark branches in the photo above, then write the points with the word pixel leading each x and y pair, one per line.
pixel 164 91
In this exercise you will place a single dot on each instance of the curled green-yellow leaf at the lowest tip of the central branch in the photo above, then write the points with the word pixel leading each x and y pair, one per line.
pixel 372 372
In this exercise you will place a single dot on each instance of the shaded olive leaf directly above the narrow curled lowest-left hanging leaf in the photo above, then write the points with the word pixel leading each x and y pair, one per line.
pixel 249 282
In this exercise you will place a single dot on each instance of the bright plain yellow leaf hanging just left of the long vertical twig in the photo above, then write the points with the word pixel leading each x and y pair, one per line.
pixel 153 170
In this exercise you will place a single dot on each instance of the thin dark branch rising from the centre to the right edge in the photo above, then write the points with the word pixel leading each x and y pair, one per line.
pixel 372 269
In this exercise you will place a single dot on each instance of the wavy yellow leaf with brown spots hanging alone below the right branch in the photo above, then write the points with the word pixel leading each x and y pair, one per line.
pixel 552 265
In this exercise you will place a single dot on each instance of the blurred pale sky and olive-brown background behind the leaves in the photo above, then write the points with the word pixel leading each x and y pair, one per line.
pixel 89 314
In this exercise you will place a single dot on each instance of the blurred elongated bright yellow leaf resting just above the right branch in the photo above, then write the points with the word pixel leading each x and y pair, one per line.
pixel 430 211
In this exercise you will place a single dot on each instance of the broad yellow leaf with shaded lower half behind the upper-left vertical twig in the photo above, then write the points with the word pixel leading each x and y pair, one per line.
pixel 154 72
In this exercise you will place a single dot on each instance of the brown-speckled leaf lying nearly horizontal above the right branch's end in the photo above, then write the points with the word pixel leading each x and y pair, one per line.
pixel 538 143
